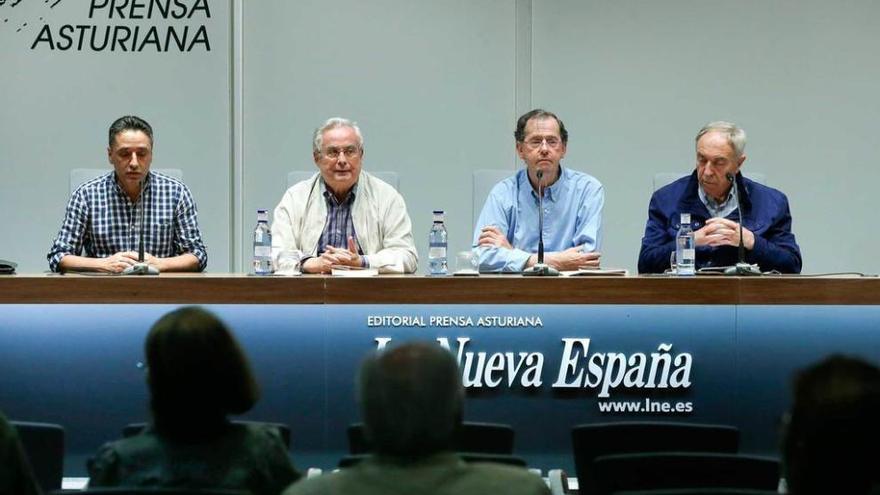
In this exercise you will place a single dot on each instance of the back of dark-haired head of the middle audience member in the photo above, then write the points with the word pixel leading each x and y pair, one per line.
pixel 411 400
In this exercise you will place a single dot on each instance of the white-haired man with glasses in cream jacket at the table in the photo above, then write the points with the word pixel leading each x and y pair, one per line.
pixel 342 215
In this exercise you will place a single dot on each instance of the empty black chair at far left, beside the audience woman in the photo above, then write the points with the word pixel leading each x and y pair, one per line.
pixel 43 443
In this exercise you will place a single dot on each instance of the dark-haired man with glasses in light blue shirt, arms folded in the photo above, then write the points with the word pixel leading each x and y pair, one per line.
pixel 506 235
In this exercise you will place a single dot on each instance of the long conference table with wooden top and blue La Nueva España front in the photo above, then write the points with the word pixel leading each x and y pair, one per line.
pixel 541 354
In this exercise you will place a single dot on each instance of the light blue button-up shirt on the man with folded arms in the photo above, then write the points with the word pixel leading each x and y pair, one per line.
pixel 572 217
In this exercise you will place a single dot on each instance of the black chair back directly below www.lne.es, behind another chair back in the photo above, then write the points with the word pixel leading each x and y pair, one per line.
pixel 593 440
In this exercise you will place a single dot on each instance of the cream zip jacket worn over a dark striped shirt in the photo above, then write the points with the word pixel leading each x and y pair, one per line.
pixel 380 219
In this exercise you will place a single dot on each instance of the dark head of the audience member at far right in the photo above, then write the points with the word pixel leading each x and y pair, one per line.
pixel 832 434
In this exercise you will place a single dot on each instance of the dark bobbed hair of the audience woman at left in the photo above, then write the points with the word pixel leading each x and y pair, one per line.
pixel 197 372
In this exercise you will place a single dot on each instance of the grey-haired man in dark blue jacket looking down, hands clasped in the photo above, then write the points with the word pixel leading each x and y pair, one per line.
pixel 707 195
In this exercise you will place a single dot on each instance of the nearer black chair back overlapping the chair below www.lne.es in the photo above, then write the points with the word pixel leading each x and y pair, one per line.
pixel 668 470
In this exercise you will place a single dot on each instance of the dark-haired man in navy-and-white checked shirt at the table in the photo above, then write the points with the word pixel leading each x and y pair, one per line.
pixel 103 215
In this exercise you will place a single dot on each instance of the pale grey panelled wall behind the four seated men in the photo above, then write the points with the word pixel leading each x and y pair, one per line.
pixel 437 86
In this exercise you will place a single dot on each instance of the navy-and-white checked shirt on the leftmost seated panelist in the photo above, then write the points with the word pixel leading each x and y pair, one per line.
pixel 101 219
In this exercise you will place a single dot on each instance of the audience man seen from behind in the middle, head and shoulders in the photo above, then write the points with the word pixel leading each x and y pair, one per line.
pixel 411 400
